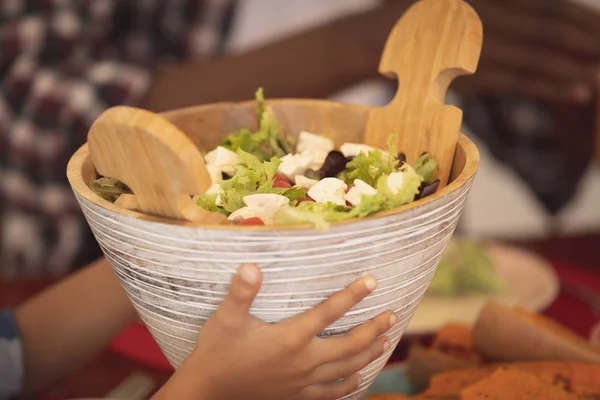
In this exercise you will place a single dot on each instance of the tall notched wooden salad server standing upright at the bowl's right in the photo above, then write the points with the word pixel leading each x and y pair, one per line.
pixel 432 44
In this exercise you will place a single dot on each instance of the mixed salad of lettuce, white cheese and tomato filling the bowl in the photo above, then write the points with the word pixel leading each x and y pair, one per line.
pixel 269 178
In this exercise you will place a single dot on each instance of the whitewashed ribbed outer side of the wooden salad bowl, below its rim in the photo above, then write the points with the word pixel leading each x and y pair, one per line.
pixel 176 275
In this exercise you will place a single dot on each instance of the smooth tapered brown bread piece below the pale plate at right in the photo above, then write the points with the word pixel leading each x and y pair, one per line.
pixel 505 334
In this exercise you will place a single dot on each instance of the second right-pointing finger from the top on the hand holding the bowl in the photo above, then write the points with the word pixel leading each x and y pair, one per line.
pixel 341 347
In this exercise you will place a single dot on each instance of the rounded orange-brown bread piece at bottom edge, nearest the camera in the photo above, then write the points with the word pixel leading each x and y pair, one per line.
pixel 514 384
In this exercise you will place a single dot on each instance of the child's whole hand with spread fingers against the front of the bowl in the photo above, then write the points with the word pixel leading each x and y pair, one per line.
pixel 241 357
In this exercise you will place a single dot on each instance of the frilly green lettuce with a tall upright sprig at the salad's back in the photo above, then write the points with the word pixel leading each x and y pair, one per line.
pixel 268 142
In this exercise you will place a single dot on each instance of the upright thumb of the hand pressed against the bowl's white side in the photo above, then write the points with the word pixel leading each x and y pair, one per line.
pixel 242 292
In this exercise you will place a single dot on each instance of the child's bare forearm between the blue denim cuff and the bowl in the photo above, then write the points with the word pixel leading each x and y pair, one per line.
pixel 63 327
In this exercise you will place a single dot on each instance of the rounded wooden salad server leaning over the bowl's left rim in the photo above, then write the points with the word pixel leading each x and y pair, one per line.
pixel 158 162
